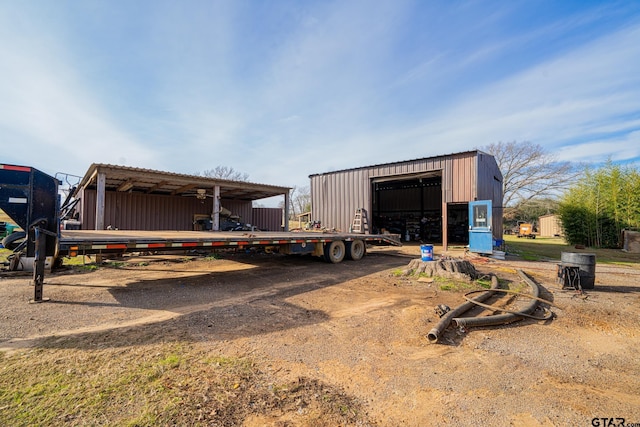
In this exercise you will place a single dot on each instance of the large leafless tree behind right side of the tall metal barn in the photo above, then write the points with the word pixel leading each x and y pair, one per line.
pixel 529 172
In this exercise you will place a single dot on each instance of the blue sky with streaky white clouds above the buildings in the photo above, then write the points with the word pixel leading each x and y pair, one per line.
pixel 284 89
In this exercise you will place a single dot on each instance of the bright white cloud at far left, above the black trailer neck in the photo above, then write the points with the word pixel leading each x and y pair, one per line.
pixel 48 115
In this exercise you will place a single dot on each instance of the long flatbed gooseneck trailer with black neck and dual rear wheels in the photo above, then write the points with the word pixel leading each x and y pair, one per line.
pixel 30 198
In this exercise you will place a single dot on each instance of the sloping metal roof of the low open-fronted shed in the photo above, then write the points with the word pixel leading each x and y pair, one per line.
pixel 124 178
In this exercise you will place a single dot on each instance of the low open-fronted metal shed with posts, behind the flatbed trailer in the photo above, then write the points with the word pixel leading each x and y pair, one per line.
pixel 130 198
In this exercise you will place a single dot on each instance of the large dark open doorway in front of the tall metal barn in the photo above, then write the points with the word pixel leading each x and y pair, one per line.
pixel 409 207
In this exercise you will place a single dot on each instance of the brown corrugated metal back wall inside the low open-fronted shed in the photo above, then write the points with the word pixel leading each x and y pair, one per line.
pixel 138 211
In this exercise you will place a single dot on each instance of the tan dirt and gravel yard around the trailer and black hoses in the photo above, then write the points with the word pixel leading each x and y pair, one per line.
pixel 360 327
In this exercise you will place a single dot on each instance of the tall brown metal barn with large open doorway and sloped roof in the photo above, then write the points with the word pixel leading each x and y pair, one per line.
pixel 425 199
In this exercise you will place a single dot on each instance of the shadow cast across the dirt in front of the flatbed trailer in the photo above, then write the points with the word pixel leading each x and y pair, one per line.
pixel 216 305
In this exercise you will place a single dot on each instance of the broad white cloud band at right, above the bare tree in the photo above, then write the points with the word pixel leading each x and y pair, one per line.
pixel 589 90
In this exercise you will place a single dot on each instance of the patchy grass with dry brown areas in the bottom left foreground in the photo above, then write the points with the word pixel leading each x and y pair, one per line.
pixel 156 383
